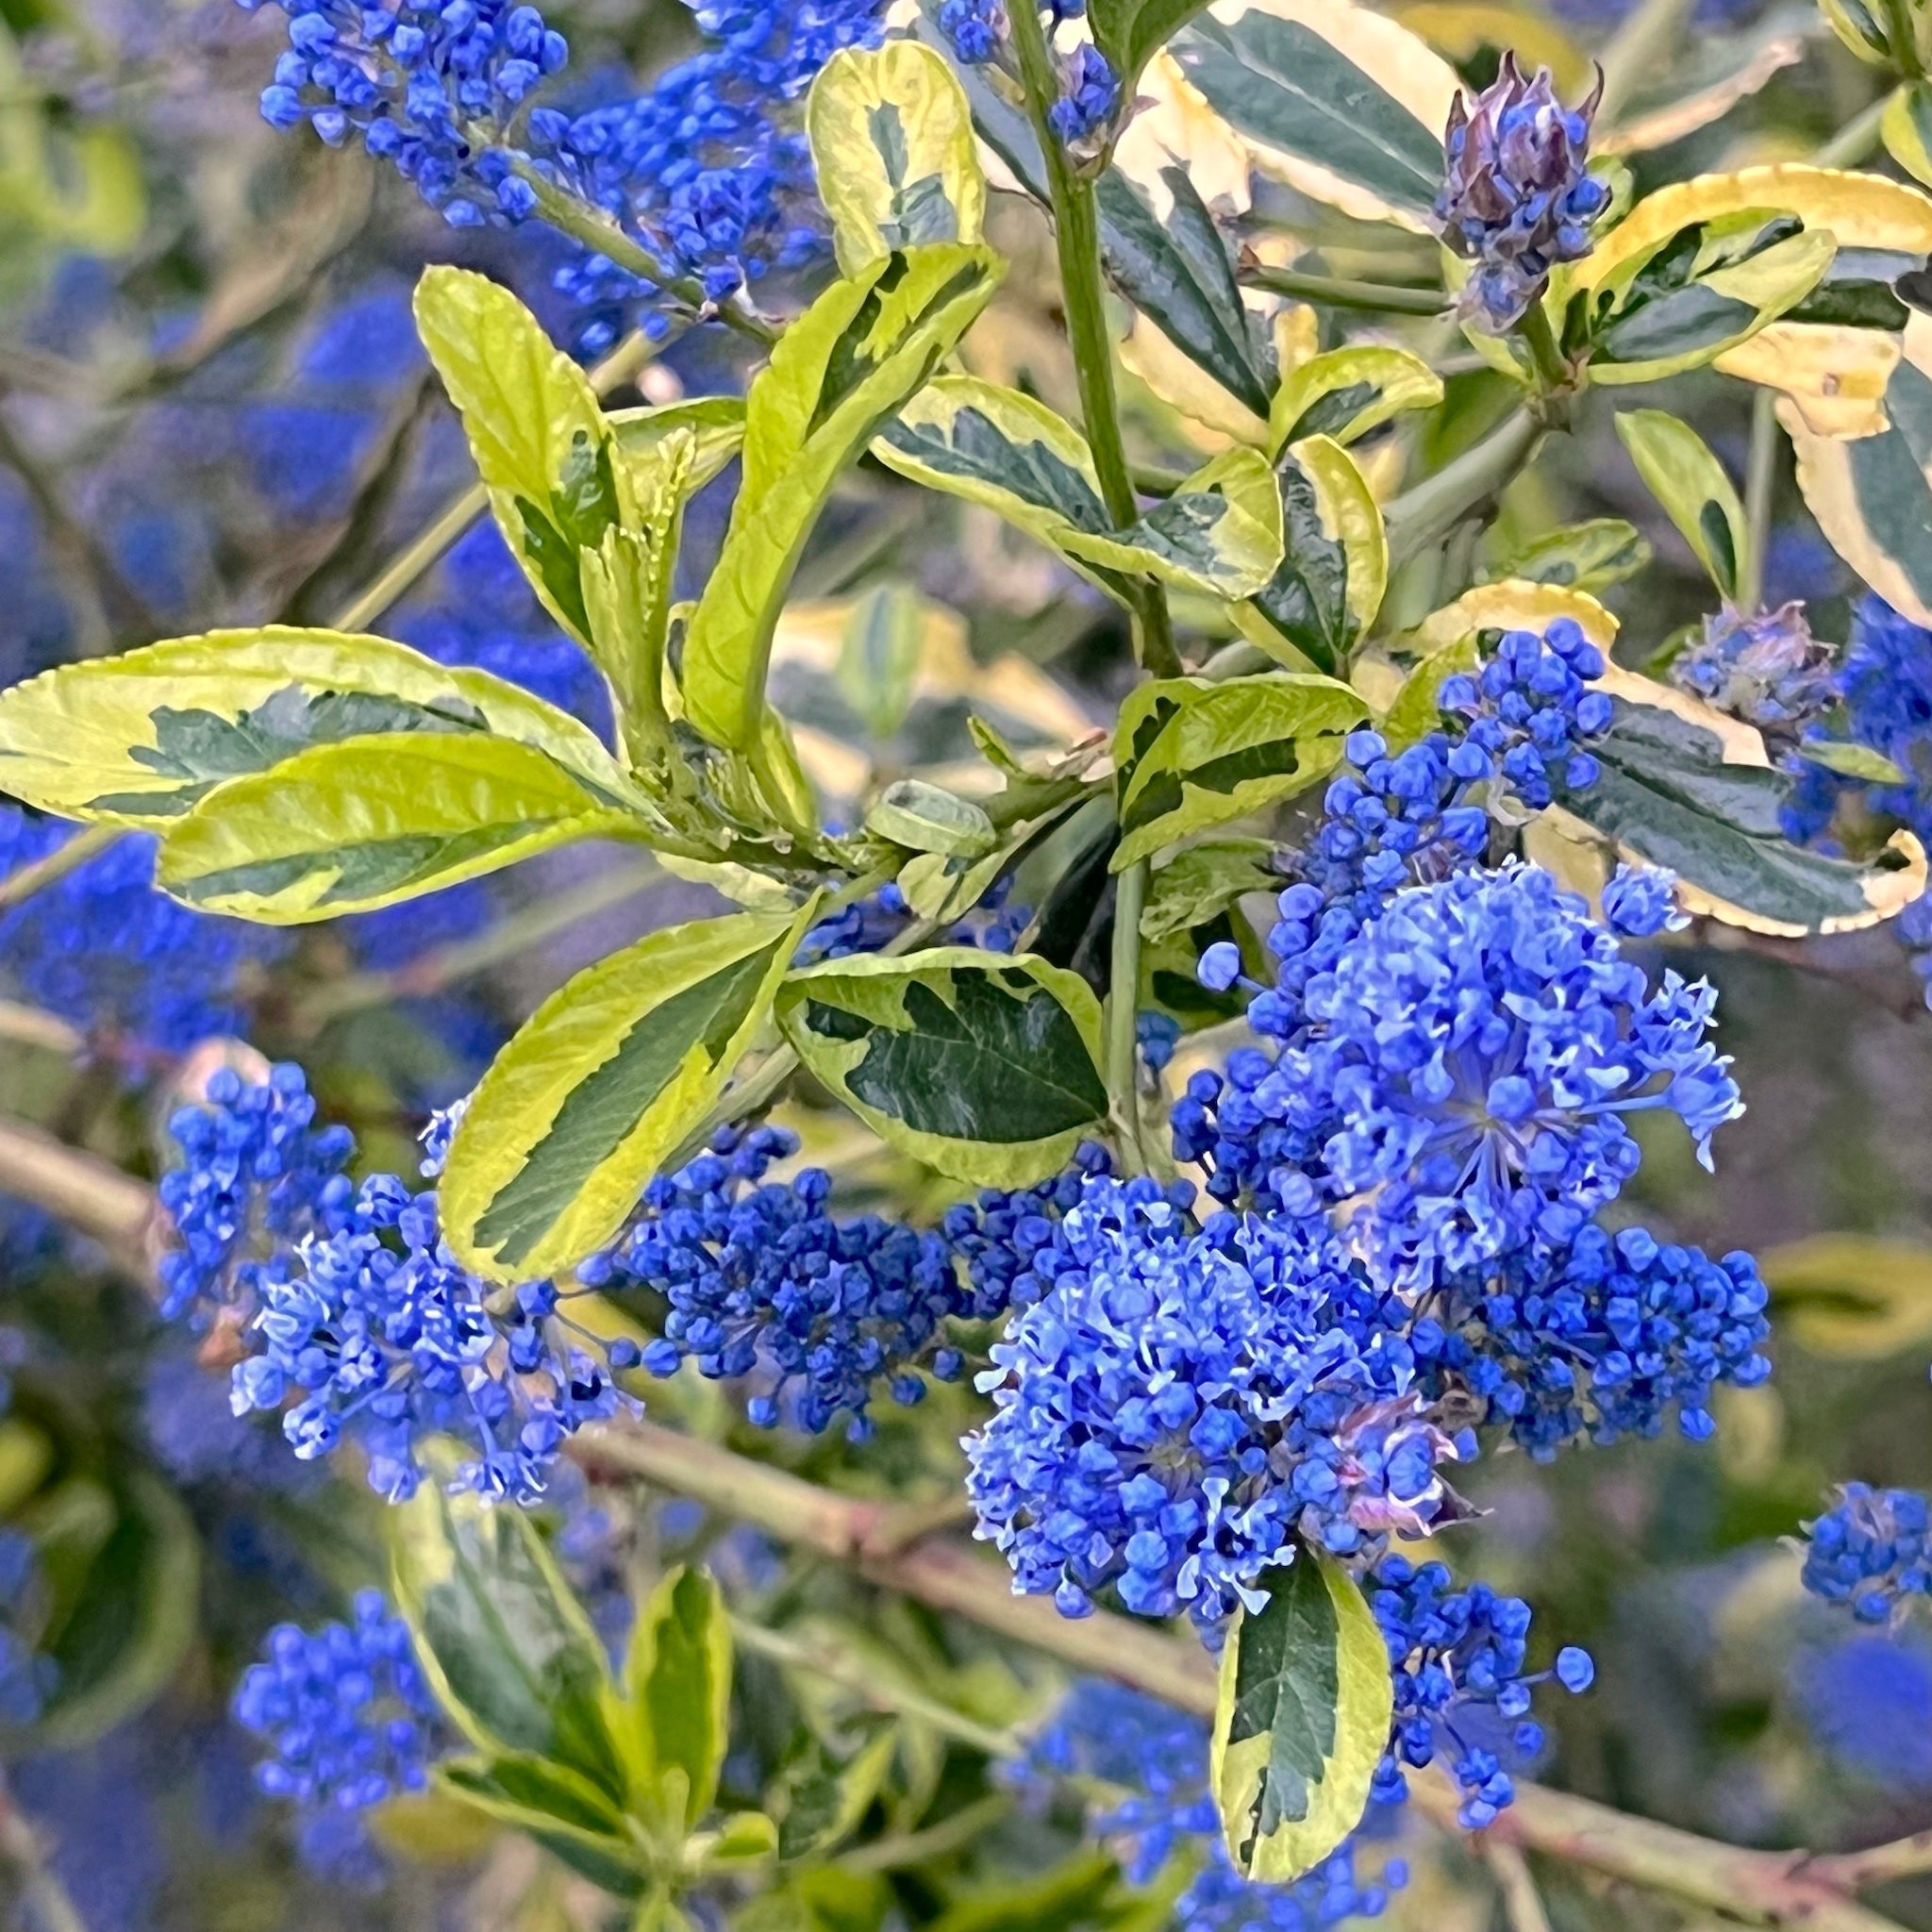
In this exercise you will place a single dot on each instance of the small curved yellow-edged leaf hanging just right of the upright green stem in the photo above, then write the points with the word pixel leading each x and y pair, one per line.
pixel 1334 569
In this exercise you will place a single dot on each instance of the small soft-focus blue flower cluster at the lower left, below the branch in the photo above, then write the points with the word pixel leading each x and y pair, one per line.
pixel 345 1711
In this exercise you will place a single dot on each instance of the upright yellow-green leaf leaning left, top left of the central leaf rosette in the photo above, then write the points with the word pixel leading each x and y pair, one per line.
pixel 536 432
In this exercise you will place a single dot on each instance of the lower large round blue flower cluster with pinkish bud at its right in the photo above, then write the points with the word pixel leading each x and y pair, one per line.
pixel 1179 1406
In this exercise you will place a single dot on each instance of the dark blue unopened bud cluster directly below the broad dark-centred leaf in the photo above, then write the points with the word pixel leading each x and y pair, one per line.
pixel 764 1282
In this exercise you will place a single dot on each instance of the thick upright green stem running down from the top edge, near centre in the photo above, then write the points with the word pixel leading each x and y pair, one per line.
pixel 1083 293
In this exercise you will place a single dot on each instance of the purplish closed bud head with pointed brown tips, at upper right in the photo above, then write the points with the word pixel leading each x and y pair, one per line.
pixel 1518 200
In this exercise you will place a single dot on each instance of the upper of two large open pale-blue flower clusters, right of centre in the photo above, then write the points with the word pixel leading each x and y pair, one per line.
pixel 1465 1065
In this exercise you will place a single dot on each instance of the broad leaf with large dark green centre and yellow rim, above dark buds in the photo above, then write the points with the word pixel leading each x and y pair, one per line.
pixel 984 1067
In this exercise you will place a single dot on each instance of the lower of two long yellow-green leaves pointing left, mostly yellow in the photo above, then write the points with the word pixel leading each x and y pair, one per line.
pixel 372 822
